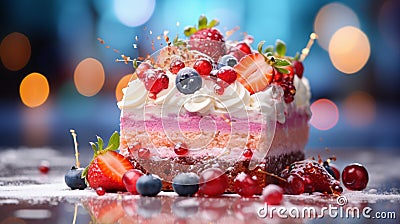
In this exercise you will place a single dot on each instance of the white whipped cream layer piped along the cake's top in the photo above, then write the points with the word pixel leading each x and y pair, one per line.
pixel 235 99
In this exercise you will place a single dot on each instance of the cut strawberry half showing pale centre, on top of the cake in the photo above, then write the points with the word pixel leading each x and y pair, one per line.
pixel 254 72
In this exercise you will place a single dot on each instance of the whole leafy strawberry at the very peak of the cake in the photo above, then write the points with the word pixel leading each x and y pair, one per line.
pixel 207 39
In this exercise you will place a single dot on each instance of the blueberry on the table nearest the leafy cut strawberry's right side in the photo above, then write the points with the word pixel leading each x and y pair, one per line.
pixel 148 185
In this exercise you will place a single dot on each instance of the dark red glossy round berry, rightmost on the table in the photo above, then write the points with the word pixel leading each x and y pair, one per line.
pixel 355 177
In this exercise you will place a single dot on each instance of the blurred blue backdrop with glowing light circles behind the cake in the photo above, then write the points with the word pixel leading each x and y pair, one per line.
pixel 58 68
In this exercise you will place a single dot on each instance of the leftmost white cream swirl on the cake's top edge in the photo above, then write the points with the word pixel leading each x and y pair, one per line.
pixel 135 95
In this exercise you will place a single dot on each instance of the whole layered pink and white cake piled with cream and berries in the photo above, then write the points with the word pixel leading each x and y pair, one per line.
pixel 205 102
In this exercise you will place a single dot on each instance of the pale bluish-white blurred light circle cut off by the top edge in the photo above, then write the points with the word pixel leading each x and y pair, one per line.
pixel 134 12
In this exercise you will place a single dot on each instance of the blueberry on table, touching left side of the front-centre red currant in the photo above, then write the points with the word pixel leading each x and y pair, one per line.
pixel 186 184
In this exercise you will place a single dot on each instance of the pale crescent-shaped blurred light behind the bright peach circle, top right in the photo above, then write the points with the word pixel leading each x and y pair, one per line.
pixel 330 18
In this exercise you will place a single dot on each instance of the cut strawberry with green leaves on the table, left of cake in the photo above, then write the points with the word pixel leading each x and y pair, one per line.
pixel 107 167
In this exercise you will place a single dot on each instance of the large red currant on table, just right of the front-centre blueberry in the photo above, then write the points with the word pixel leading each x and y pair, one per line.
pixel 213 182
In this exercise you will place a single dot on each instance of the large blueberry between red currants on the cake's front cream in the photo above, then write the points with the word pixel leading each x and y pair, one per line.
pixel 188 81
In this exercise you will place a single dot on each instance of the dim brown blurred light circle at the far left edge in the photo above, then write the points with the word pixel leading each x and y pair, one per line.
pixel 15 51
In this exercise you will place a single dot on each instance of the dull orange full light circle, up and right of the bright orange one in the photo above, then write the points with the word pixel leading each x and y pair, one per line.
pixel 89 77
